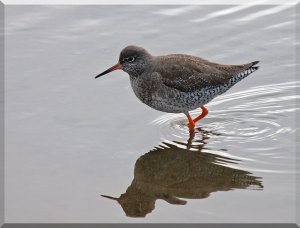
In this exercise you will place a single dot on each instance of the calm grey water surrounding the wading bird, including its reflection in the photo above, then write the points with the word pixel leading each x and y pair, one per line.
pixel 70 138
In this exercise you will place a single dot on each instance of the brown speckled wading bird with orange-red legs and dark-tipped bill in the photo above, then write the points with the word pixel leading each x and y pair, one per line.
pixel 178 83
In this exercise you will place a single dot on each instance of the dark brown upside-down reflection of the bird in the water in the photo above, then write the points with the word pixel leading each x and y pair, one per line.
pixel 170 172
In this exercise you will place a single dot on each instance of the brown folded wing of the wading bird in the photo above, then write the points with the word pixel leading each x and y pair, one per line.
pixel 188 73
